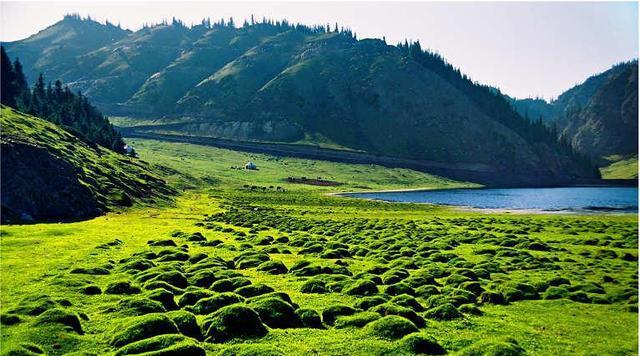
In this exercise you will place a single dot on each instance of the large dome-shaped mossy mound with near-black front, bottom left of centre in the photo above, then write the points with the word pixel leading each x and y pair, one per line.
pixel 234 321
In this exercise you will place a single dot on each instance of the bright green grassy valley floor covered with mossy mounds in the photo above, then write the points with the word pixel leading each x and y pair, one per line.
pixel 336 270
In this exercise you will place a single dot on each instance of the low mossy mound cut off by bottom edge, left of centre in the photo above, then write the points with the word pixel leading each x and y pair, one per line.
pixel 165 345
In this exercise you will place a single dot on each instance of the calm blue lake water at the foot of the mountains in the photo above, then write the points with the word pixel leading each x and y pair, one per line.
pixel 624 199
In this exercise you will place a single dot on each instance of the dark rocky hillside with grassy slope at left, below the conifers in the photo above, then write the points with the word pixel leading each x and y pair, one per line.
pixel 49 174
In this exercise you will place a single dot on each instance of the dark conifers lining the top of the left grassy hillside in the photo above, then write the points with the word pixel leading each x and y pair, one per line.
pixel 56 103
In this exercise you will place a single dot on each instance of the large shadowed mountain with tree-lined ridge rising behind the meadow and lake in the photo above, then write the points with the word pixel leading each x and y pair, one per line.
pixel 277 82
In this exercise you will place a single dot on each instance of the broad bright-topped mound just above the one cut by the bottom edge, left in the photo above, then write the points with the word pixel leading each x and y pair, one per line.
pixel 143 328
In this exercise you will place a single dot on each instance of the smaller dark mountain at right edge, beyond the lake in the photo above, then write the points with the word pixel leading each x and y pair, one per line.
pixel 598 117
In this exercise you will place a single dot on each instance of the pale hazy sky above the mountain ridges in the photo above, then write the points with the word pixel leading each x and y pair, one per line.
pixel 525 49
